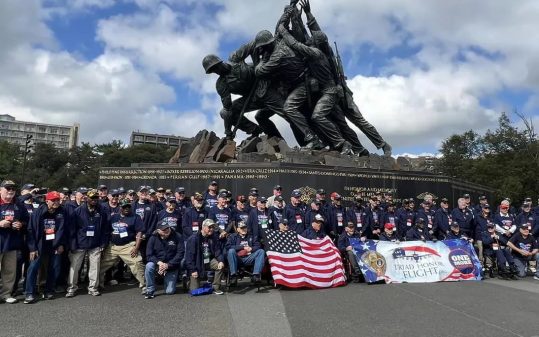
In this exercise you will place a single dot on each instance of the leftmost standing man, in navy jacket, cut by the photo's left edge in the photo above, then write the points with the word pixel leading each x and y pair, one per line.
pixel 13 218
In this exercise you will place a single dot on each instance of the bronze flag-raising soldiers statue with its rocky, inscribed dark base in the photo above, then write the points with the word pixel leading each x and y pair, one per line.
pixel 293 73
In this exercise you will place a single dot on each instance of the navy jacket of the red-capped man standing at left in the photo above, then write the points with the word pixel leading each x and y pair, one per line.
pixel 43 222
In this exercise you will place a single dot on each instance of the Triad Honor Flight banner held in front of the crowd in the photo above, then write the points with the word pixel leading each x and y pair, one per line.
pixel 417 261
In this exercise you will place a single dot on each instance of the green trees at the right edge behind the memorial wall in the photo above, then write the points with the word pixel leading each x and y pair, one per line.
pixel 506 159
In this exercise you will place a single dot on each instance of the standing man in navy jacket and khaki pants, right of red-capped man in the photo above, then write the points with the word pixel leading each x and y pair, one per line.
pixel 88 229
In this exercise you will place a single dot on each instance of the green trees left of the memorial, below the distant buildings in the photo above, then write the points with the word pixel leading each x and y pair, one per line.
pixel 48 166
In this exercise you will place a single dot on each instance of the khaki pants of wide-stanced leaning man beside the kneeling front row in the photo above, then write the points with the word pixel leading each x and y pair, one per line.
pixel 113 253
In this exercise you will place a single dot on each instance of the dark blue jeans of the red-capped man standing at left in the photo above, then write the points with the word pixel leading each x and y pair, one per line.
pixel 53 272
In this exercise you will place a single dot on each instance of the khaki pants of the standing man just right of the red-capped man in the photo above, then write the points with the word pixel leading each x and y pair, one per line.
pixel 76 258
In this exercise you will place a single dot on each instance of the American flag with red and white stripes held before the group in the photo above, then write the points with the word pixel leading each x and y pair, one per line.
pixel 297 262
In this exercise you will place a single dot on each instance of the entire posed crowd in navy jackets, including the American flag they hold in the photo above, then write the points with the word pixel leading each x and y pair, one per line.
pixel 207 241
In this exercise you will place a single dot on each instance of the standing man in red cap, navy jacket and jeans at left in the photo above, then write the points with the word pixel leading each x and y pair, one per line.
pixel 46 240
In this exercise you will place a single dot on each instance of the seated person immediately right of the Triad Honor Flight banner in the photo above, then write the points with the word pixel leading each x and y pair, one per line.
pixel 495 249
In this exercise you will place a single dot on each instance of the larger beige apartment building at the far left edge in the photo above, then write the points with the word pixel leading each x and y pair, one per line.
pixel 61 136
